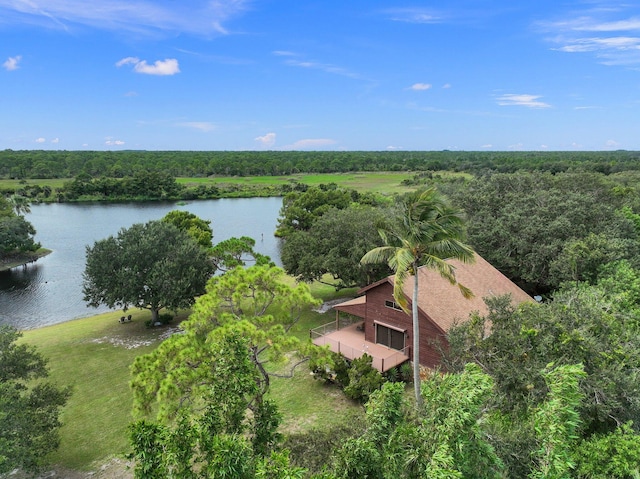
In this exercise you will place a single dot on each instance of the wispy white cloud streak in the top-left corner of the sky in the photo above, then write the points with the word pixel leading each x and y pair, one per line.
pixel 203 17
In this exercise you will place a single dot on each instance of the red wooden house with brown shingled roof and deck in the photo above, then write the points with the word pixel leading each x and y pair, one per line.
pixel 385 332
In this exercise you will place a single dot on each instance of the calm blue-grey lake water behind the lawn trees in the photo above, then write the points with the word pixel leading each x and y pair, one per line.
pixel 49 291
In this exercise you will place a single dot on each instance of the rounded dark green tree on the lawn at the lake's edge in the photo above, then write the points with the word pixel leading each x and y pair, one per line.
pixel 150 266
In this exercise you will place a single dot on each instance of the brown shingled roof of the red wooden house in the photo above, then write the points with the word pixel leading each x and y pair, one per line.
pixel 445 304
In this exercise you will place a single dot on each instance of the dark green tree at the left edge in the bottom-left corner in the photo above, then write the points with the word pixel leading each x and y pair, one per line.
pixel 29 409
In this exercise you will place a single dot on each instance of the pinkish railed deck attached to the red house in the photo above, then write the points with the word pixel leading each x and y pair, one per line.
pixel 349 341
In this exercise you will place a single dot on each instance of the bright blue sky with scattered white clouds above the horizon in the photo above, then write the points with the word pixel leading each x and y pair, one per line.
pixel 319 75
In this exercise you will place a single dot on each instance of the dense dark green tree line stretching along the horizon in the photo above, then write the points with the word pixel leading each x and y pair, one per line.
pixel 32 164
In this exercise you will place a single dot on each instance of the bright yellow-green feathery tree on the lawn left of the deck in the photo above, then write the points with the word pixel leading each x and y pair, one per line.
pixel 239 323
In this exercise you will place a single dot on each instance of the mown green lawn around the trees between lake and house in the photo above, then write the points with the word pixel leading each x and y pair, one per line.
pixel 94 354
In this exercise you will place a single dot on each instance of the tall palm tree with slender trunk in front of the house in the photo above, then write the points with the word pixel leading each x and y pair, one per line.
pixel 427 232
